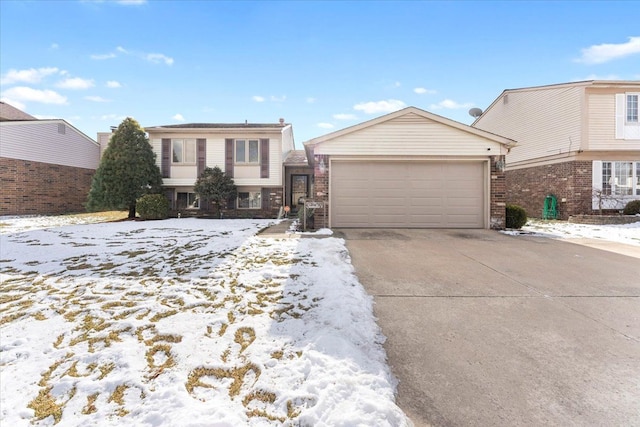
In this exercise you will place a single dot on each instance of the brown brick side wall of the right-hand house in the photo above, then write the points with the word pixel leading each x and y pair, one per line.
pixel 571 181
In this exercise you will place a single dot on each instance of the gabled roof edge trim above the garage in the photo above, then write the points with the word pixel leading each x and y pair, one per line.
pixel 408 110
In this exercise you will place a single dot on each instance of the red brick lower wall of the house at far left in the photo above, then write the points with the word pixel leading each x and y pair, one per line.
pixel 32 188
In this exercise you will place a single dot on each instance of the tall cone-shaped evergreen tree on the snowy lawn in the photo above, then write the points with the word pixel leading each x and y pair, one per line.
pixel 126 172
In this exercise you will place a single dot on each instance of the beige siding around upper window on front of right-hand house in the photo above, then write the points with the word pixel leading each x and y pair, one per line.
pixel 602 124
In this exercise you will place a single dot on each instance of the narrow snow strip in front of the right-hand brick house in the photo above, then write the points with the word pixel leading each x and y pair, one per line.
pixel 626 233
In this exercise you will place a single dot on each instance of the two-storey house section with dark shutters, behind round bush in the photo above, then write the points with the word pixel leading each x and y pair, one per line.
pixel 251 153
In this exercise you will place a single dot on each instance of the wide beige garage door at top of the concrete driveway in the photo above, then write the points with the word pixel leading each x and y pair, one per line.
pixel 407 194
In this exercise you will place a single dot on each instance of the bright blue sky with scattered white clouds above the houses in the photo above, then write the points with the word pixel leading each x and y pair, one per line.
pixel 322 66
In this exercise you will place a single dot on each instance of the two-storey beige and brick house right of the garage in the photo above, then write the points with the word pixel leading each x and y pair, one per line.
pixel 579 142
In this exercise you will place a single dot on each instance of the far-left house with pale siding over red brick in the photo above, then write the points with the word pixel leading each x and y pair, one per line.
pixel 46 166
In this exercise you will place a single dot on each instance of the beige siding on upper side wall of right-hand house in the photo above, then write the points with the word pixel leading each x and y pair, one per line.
pixel 543 121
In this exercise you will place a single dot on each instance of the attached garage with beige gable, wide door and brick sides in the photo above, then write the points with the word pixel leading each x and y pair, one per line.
pixel 410 169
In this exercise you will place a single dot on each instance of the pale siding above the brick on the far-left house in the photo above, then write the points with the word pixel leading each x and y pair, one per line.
pixel 40 141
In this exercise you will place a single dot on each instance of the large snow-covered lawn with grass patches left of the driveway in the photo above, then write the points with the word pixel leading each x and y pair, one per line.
pixel 185 322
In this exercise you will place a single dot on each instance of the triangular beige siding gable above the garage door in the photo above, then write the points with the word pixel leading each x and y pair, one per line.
pixel 410 135
